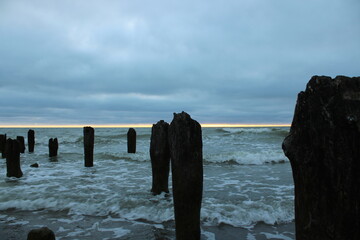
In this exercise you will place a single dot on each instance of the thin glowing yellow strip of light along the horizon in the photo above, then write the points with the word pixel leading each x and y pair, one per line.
pixel 140 125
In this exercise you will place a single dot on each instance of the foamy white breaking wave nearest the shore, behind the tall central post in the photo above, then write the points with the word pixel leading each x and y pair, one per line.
pixel 159 209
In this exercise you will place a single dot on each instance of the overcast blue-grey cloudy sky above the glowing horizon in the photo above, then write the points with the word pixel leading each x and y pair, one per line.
pixel 139 61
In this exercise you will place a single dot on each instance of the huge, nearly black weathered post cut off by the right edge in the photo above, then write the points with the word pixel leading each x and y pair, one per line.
pixel 323 147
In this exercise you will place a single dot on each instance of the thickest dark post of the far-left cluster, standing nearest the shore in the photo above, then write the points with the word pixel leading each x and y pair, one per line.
pixel 13 158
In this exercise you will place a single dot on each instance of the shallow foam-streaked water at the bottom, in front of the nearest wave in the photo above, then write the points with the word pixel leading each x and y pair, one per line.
pixel 16 224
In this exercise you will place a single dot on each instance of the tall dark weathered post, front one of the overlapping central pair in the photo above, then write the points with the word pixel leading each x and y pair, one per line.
pixel 185 141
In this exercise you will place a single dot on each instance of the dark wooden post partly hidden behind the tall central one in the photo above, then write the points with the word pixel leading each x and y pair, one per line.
pixel 160 157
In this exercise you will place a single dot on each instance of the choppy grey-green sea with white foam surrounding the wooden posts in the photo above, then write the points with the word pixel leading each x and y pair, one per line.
pixel 248 187
